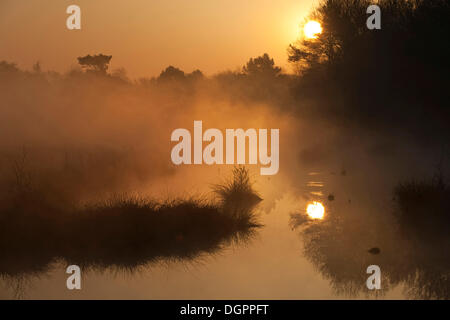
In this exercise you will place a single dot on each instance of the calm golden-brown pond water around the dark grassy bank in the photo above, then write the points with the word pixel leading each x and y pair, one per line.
pixel 290 257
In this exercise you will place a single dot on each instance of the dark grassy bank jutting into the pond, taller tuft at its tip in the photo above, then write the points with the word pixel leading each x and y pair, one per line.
pixel 124 231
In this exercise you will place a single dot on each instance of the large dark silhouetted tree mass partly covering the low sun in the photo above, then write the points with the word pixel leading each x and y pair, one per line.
pixel 378 77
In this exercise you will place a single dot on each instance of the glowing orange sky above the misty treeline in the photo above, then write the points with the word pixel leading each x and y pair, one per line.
pixel 145 36
